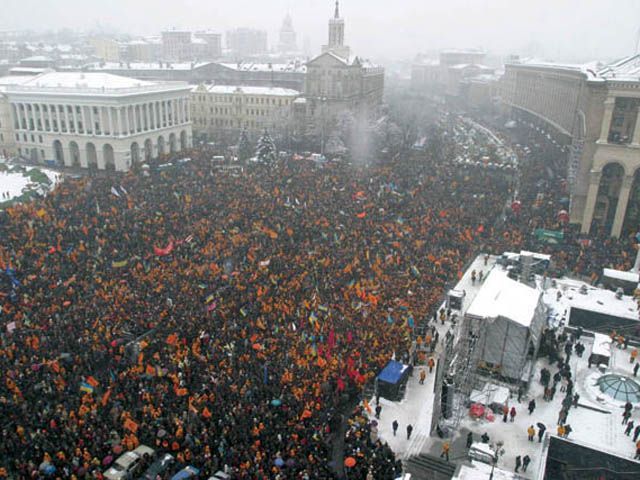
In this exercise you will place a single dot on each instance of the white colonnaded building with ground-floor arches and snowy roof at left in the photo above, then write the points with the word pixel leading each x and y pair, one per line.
pixel 96 120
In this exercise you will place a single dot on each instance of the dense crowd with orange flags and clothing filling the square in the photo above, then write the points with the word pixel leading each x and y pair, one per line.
pixel 229 318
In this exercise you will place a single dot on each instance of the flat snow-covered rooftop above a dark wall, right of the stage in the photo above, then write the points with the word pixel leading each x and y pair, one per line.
pixel 596 300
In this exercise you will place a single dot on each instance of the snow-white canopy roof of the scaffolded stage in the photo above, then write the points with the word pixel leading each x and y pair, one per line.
pixel 501 296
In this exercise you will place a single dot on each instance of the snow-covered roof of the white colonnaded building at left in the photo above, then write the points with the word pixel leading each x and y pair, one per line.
pixel 91 83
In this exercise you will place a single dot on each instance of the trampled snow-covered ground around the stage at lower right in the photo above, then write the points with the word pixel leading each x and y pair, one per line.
pixel 597 421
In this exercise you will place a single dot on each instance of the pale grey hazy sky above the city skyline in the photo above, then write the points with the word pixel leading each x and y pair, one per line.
pixel 556 29
